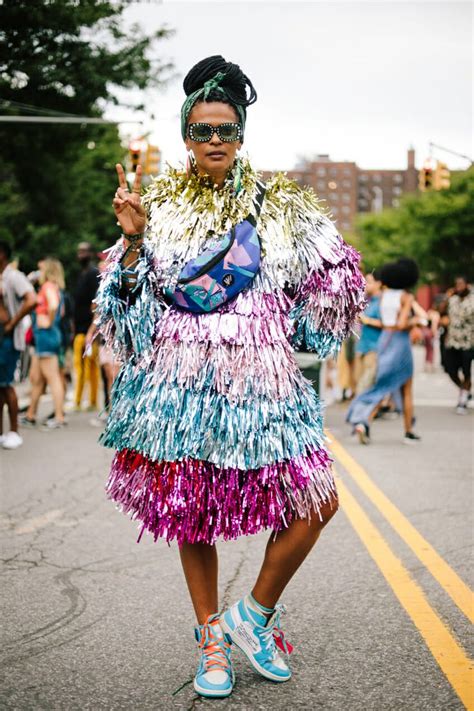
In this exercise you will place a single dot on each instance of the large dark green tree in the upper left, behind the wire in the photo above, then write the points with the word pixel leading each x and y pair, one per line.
pixel 64 56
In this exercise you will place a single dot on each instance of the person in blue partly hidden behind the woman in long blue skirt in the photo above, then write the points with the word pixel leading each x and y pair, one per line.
pixel 366 348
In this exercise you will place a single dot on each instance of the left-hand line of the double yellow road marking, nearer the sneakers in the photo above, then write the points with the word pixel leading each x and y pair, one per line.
pixel 449 655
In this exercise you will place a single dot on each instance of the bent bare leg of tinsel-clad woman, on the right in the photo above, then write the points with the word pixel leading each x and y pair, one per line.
pixel 285 553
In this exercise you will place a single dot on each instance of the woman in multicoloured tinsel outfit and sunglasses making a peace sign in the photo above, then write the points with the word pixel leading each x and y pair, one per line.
pixel 217 432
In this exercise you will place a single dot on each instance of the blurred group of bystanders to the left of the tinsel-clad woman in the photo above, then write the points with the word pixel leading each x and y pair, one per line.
pixel 48 337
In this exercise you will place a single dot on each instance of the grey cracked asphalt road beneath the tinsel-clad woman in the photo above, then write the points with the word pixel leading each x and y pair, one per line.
pixel 91 620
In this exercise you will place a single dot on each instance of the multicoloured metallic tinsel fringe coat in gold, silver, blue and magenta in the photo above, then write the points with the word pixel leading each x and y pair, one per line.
pixel 217 432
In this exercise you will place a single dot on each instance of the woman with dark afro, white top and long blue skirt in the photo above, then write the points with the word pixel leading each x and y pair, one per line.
pixel 394 355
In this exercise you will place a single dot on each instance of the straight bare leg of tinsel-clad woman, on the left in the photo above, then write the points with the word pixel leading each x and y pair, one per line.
pixel 200 567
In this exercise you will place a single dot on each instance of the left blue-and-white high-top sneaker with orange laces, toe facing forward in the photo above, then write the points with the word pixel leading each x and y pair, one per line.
pixel 215 676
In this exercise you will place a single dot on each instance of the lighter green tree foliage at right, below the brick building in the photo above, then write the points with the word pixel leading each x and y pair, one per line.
pixel 435 228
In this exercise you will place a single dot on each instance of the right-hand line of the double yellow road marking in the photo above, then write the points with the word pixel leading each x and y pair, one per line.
pixel 458 591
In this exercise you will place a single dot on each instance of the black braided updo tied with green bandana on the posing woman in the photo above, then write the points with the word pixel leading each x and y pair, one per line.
pixel 214 79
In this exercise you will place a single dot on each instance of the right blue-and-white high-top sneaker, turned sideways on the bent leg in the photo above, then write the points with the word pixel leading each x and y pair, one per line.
pixel 249 629
